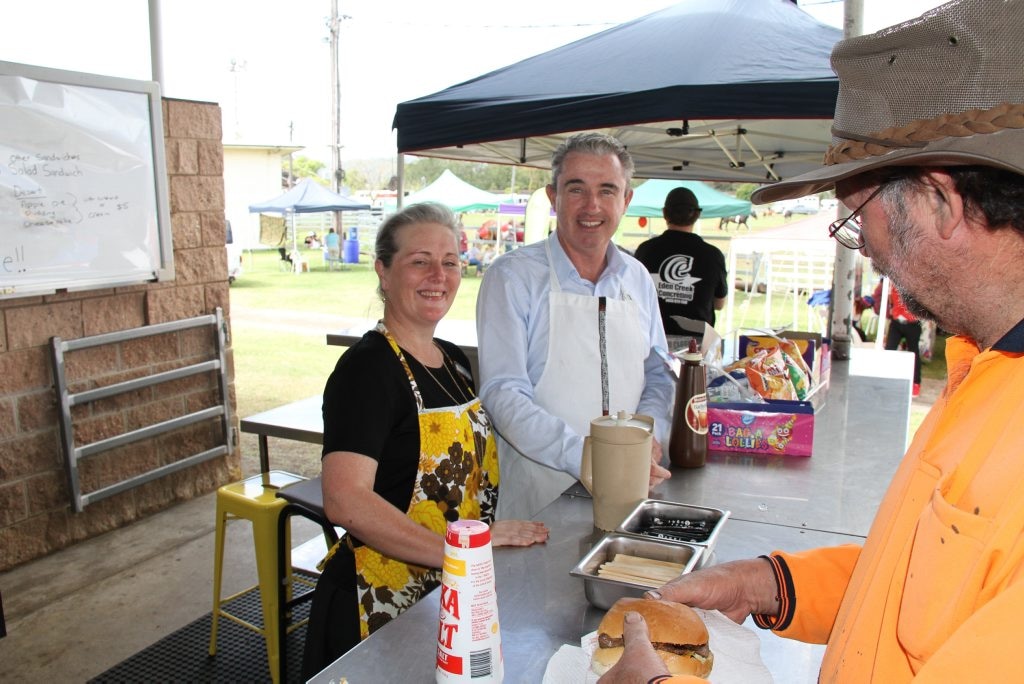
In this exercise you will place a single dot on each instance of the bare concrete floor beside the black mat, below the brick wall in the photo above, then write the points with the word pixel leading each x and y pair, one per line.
pixel 75 614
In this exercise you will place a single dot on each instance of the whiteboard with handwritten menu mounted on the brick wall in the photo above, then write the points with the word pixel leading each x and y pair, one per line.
pixel 83 183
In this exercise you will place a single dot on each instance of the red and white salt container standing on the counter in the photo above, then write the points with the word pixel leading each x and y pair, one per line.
pixel 470 643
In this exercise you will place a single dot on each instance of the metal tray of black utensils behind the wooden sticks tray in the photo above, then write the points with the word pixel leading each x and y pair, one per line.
pixel 670 522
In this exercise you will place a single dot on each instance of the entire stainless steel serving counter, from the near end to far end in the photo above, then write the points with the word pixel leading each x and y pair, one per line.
pixel 777 503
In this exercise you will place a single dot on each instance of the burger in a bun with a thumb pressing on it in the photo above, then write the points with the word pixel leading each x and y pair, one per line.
pixel 658 638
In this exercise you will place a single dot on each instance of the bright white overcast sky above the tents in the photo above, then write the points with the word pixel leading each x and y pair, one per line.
pixel 268 62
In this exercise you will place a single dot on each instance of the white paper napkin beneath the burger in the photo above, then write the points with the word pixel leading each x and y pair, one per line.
pixel 737 650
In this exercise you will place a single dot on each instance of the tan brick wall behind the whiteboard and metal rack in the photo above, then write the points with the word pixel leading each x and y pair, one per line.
pixel 36 512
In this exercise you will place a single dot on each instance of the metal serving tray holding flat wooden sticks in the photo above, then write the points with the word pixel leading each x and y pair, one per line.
pixel 603 592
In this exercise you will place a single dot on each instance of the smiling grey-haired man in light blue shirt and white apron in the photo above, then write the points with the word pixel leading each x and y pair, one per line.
pixel 546 368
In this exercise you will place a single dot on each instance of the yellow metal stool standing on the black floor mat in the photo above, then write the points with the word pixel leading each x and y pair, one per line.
pixel 254 499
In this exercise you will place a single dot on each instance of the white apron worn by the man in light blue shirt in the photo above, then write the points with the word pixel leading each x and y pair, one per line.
pixel 571 388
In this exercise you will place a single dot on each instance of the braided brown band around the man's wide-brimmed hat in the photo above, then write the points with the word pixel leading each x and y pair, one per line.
pixel 923 132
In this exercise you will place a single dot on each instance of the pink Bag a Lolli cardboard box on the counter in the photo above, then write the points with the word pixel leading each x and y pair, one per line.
pixel 778 429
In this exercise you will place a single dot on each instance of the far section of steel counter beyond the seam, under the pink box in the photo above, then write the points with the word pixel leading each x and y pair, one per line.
pixel 861 435
